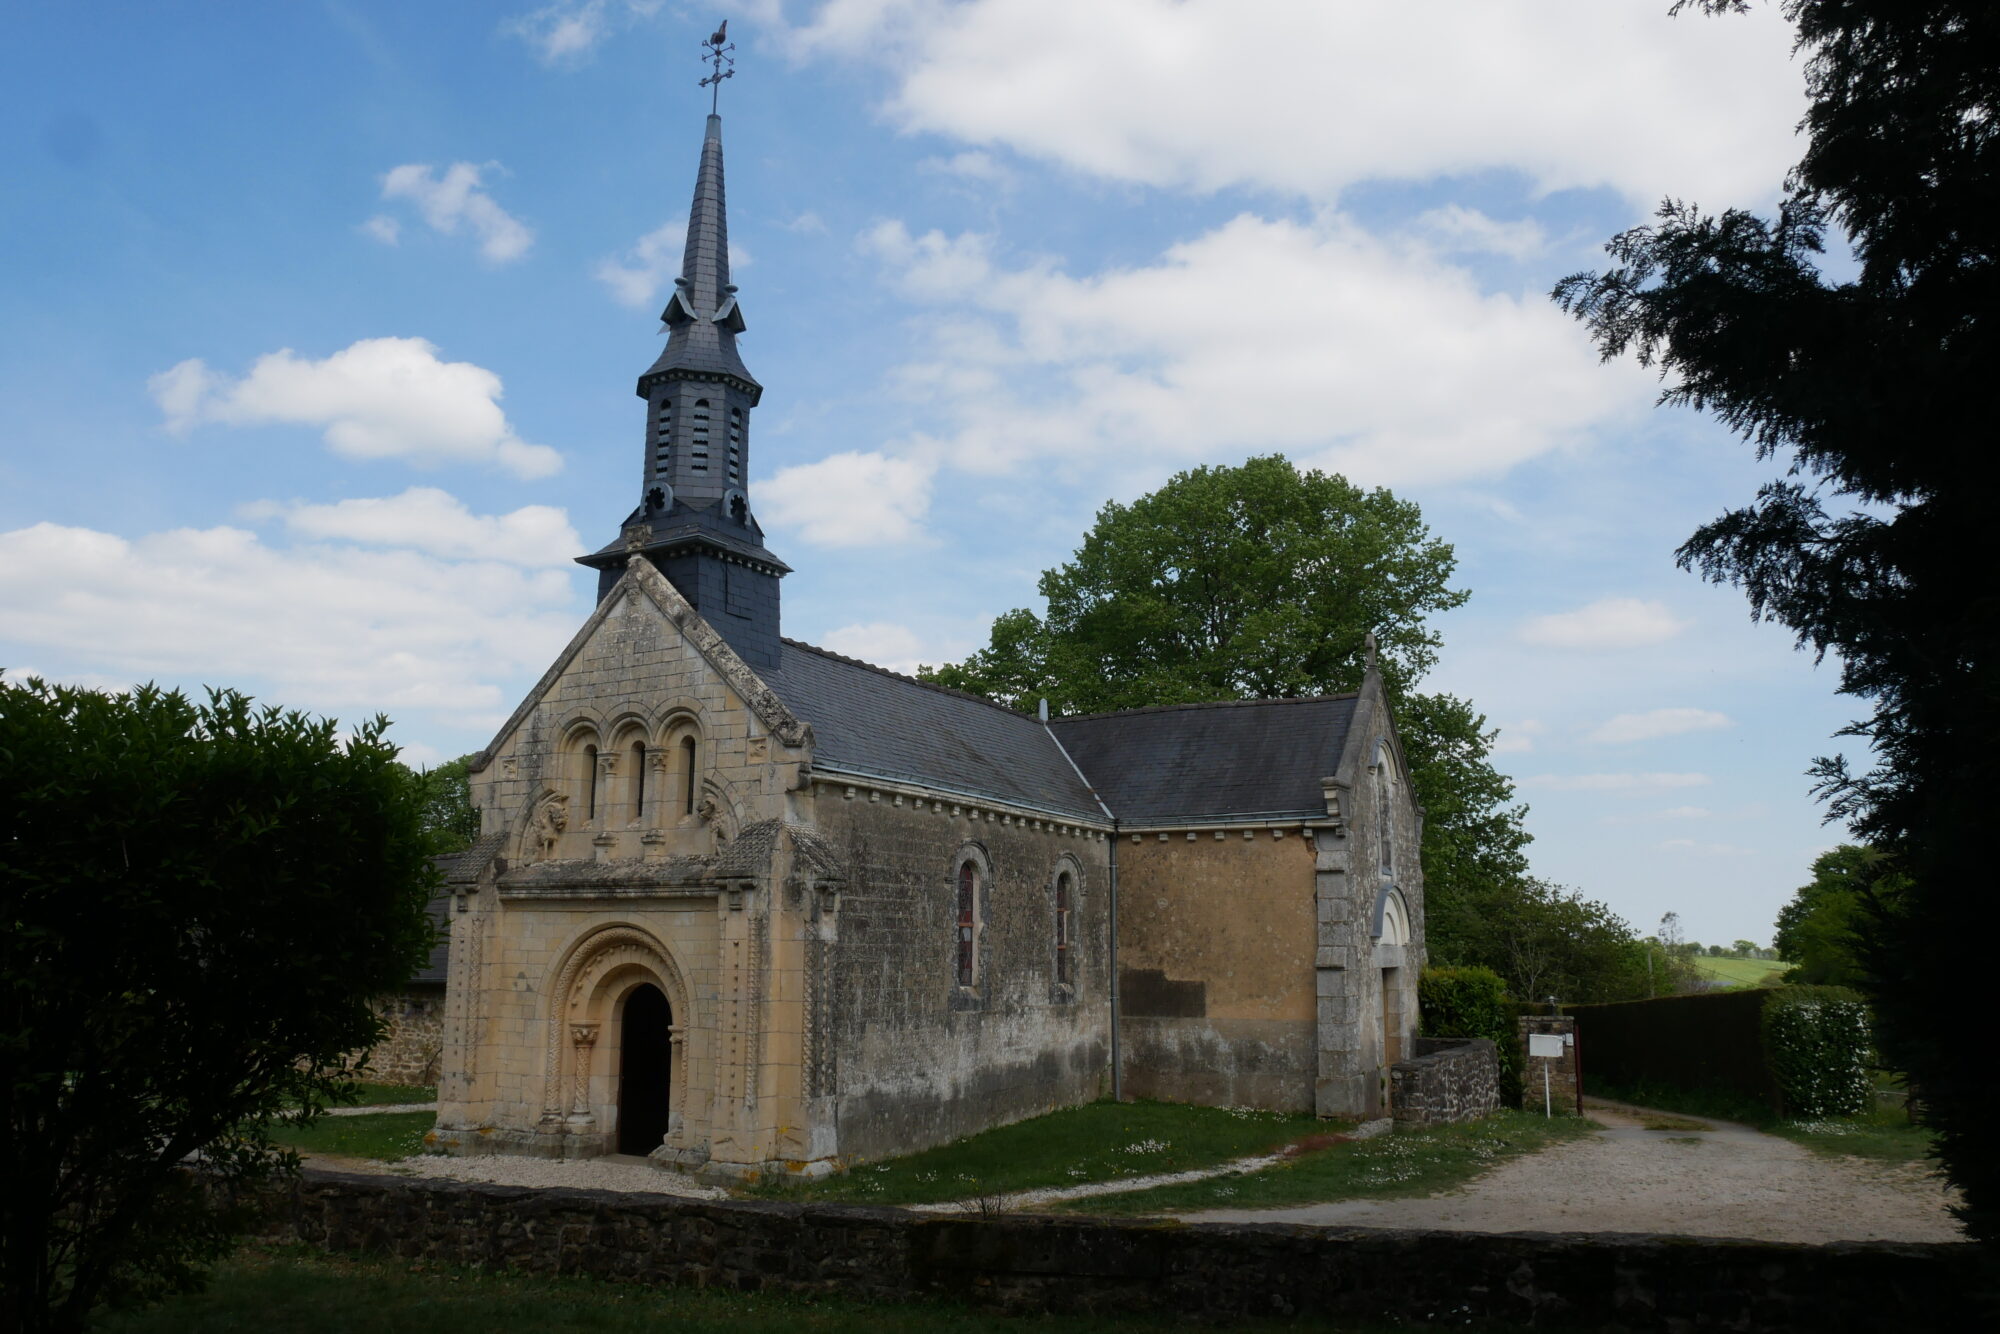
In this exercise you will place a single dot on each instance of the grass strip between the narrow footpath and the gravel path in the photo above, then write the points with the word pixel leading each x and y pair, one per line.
pixel 1403 1165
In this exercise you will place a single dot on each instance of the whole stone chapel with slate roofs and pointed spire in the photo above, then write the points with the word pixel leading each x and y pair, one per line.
pixel 743 905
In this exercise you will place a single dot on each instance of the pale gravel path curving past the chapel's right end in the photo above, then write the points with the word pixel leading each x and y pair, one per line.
pixel 1729 1181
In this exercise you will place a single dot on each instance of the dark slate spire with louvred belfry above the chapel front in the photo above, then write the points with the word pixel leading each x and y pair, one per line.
pixel 693 517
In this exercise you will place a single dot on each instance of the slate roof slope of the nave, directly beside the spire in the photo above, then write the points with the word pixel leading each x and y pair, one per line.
pixel 875 723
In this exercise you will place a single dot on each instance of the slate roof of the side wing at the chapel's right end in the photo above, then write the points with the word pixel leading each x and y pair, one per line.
pixel 1213 761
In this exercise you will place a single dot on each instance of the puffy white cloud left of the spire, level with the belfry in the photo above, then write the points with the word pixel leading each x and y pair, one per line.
pixel 377 399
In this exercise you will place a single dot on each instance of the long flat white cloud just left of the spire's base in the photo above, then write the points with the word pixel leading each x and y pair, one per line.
pixel 433 521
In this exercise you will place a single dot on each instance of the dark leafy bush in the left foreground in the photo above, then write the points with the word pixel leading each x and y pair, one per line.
pixel 201 903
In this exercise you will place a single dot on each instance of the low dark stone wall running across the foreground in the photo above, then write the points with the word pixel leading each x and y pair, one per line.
pixel 1139 1267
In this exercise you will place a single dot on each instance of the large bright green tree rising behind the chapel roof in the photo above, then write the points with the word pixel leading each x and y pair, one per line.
pixel 1265 581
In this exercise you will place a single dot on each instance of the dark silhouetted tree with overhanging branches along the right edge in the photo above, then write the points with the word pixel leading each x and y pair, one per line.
pixel 1873 383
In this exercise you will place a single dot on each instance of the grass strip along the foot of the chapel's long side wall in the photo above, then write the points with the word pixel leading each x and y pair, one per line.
pixel 1093 1143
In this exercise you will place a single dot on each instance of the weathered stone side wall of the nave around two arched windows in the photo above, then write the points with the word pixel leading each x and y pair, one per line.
pixel 917 1059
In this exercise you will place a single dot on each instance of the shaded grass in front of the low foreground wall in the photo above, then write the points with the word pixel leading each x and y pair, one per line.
pixel 303 1293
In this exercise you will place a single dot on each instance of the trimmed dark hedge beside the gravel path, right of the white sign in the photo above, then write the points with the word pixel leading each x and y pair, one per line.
pixel 1801 1051
